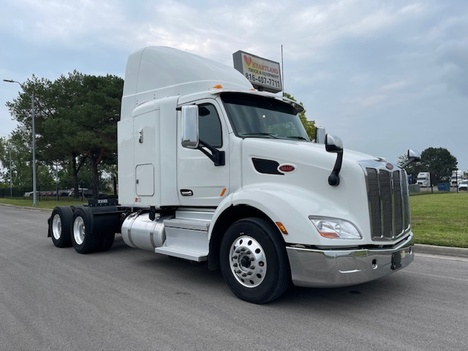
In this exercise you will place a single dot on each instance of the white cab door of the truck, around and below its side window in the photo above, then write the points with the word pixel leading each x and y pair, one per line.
pixel 199 181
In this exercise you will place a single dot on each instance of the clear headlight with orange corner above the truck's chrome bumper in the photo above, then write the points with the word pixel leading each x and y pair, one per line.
pixel 335 228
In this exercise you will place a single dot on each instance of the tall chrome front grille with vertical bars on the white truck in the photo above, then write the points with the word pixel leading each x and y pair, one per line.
pixel 388 202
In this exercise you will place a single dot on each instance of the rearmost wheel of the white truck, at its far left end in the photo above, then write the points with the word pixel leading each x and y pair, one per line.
pixel 60 226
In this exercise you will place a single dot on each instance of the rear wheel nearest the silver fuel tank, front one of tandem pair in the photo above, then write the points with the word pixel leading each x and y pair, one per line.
pixel 83 237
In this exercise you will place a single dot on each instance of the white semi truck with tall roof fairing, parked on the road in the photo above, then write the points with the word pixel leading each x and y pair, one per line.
pixel 212 170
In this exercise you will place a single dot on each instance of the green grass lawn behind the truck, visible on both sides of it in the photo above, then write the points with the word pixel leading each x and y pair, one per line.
pixel 437 219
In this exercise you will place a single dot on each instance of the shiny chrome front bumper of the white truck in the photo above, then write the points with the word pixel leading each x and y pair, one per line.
pixel 337 268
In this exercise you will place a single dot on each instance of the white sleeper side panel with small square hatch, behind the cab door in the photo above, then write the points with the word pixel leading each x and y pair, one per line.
pixel 147 156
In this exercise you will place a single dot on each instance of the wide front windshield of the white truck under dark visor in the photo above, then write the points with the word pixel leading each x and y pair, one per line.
pixel 262 117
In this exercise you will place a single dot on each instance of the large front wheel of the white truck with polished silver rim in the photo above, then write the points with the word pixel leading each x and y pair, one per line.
pixel 254 262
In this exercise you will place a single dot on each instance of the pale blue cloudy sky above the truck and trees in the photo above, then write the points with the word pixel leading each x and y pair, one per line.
pixel 383 75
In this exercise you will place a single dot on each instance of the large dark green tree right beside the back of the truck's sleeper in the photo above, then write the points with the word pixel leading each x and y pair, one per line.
pixel 88 111
